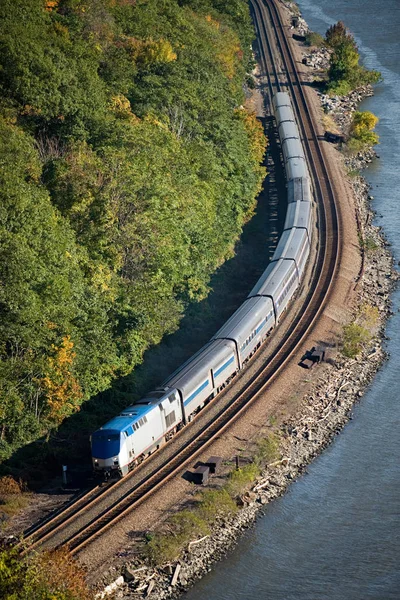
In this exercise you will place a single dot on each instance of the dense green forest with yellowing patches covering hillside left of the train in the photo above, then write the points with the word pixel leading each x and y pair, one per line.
pixel 128 168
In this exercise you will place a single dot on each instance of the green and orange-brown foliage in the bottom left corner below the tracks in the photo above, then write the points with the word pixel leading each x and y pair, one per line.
pixel 49 576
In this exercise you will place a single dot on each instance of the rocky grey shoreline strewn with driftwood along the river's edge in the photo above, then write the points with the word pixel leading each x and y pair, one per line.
pixel 324 410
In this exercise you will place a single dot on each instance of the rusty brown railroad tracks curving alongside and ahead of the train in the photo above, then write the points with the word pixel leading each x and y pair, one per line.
pixel 149 477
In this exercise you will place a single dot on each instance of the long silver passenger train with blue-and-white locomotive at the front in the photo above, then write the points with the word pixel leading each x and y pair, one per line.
pixel 140 429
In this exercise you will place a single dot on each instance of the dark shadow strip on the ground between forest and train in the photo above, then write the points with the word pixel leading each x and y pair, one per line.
pixel 229 287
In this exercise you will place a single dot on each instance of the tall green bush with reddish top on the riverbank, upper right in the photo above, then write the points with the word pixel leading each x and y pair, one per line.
pixel 345 73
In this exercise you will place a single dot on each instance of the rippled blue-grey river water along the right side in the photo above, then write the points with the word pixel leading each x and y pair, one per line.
pixel 335 535
